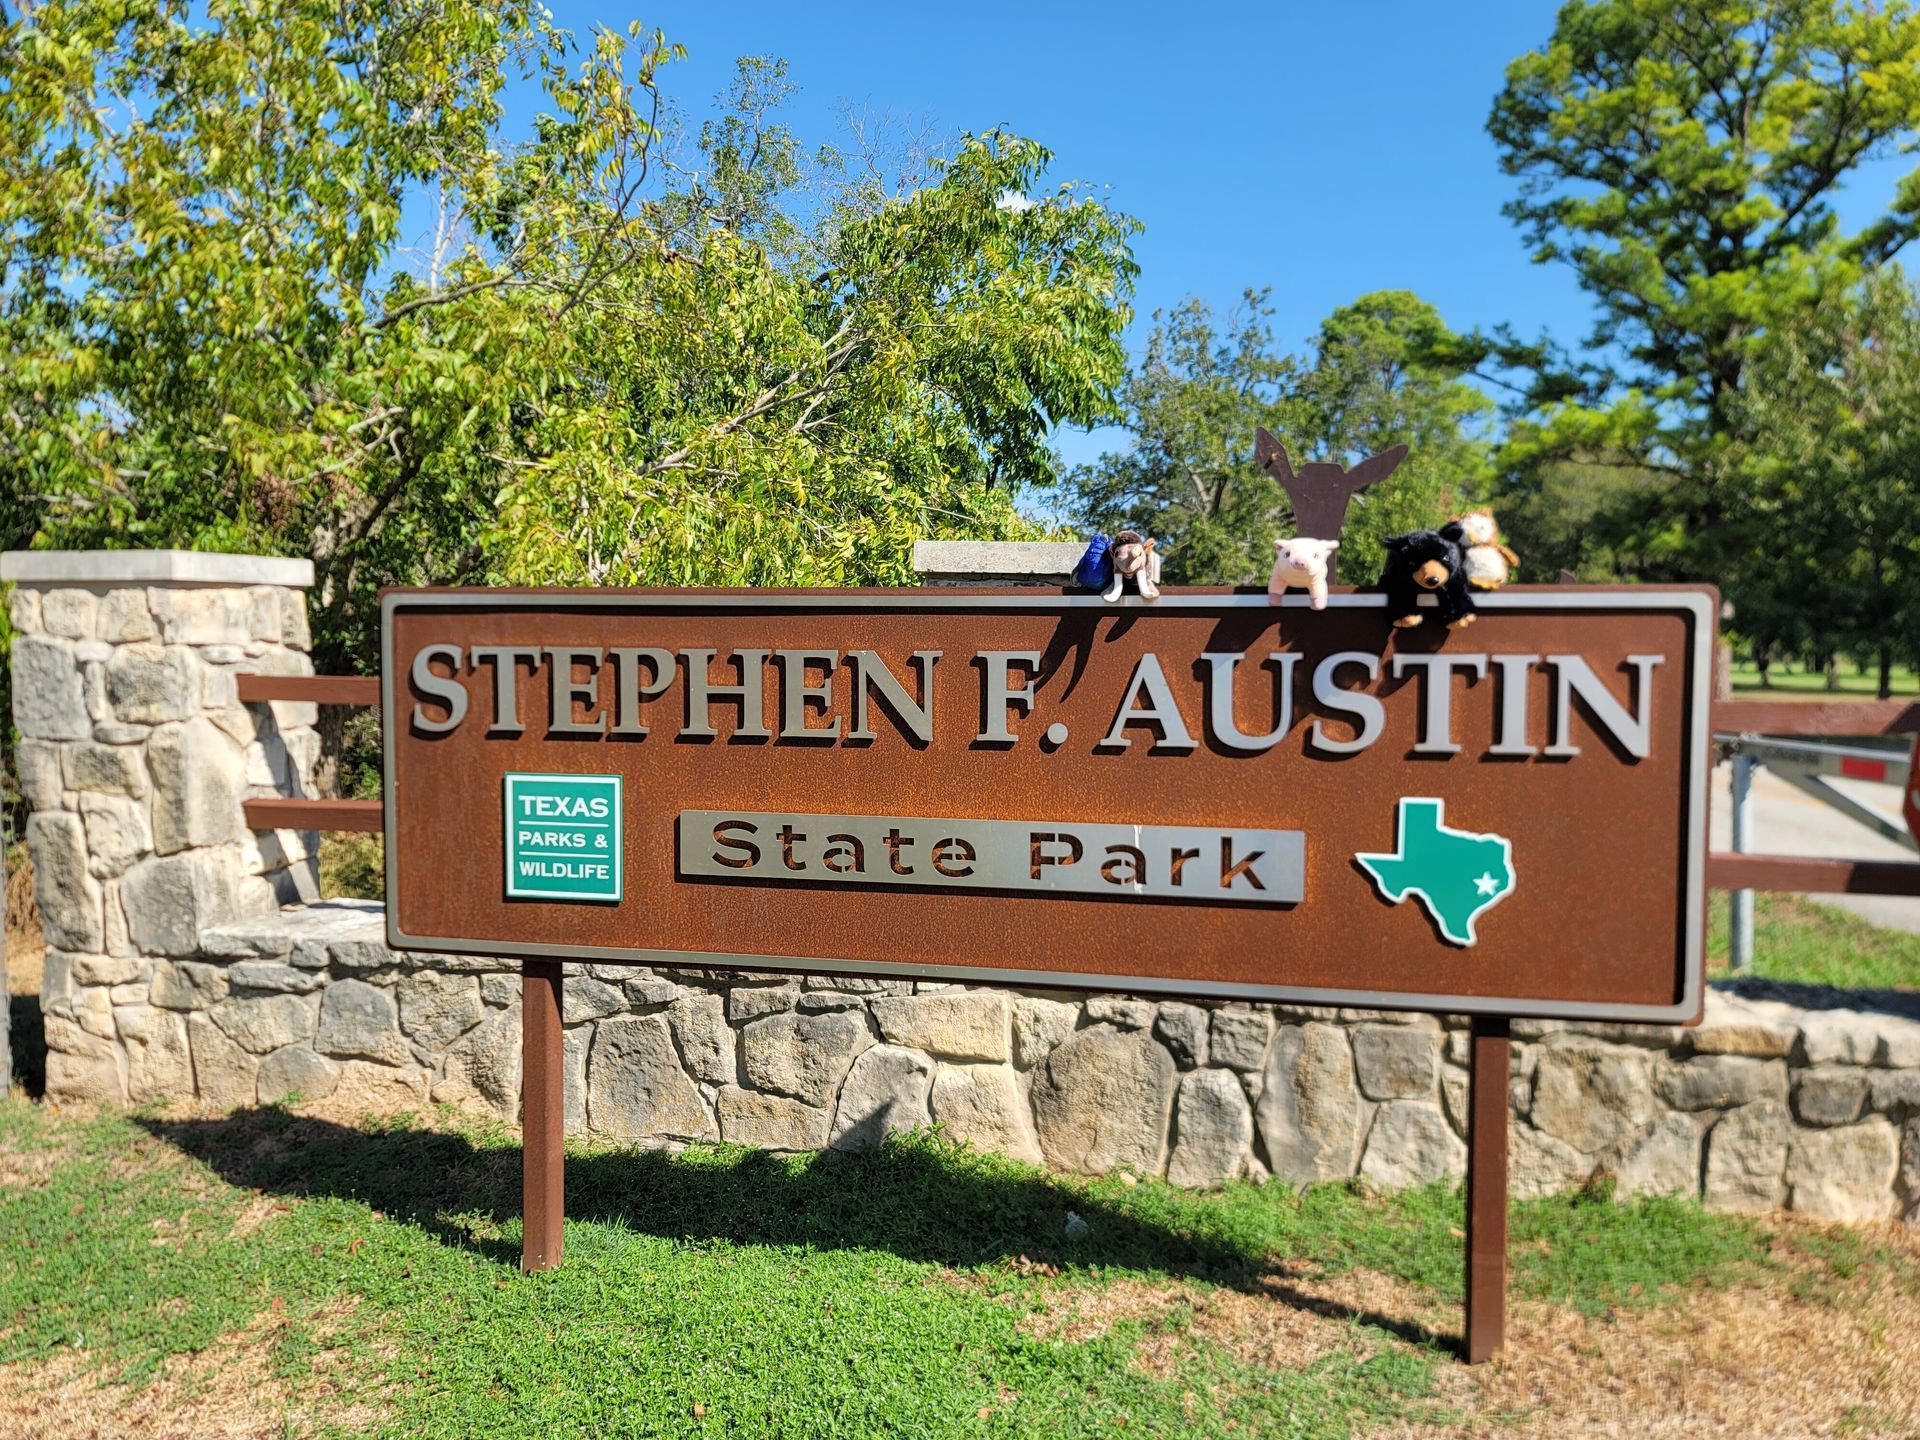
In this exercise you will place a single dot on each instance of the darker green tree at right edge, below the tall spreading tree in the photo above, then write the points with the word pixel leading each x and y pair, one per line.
pixel 1835 412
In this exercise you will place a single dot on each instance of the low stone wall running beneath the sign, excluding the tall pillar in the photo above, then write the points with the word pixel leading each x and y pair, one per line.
pixel 1767 1105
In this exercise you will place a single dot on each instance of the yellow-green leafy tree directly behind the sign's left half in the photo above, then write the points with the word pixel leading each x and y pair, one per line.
pixel 740 420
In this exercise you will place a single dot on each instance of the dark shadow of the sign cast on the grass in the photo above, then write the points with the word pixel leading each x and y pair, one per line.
pixel 917 1197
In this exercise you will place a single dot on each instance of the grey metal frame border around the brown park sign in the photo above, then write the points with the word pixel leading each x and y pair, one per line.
pixel 1702 604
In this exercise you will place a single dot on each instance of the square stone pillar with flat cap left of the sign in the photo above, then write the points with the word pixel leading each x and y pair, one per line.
pixel 135 757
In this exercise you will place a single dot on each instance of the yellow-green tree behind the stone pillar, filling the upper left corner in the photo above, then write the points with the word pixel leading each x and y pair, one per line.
pixel 216 337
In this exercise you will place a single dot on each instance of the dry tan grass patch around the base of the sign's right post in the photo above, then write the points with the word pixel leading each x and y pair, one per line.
pixel 1810 1353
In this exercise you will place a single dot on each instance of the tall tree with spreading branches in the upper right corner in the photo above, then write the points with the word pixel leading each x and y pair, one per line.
pixel 1683 156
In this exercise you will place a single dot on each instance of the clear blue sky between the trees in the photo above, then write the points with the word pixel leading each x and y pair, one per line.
pixel 1324 151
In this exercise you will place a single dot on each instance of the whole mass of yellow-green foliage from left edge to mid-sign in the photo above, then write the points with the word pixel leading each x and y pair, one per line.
pixel 602 370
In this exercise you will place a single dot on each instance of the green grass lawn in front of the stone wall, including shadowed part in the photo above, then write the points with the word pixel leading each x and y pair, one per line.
pixel 923 1291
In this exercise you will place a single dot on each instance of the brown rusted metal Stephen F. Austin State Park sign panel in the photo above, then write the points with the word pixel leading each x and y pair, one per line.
pixel 1203 796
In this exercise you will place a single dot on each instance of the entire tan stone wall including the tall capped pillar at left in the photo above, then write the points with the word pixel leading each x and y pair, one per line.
pixel 174 972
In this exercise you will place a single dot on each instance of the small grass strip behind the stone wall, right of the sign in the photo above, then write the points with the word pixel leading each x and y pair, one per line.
pixel 1810 944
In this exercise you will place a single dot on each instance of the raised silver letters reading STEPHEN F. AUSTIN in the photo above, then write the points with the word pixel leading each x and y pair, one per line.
pixel 842 696
